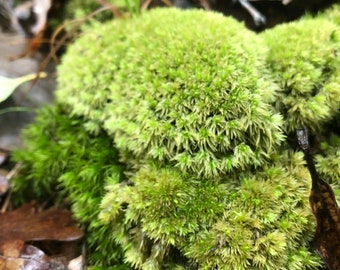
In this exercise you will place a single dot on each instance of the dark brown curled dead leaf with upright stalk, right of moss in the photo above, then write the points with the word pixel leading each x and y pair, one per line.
pixel 325 210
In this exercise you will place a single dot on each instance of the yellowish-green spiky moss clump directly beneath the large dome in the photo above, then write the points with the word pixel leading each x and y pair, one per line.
pixel 249 221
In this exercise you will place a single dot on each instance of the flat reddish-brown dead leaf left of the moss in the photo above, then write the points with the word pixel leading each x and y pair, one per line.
pixel 27 225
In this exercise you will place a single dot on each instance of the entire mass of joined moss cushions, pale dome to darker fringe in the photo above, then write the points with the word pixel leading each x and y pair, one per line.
pixel 172 140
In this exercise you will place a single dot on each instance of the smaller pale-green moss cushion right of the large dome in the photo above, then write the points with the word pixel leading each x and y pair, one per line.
pixel 303 57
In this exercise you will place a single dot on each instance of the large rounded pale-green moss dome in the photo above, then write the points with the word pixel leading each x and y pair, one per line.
pixel 169 95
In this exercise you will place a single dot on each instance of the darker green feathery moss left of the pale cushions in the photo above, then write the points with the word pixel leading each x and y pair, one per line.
pixel 62 162
